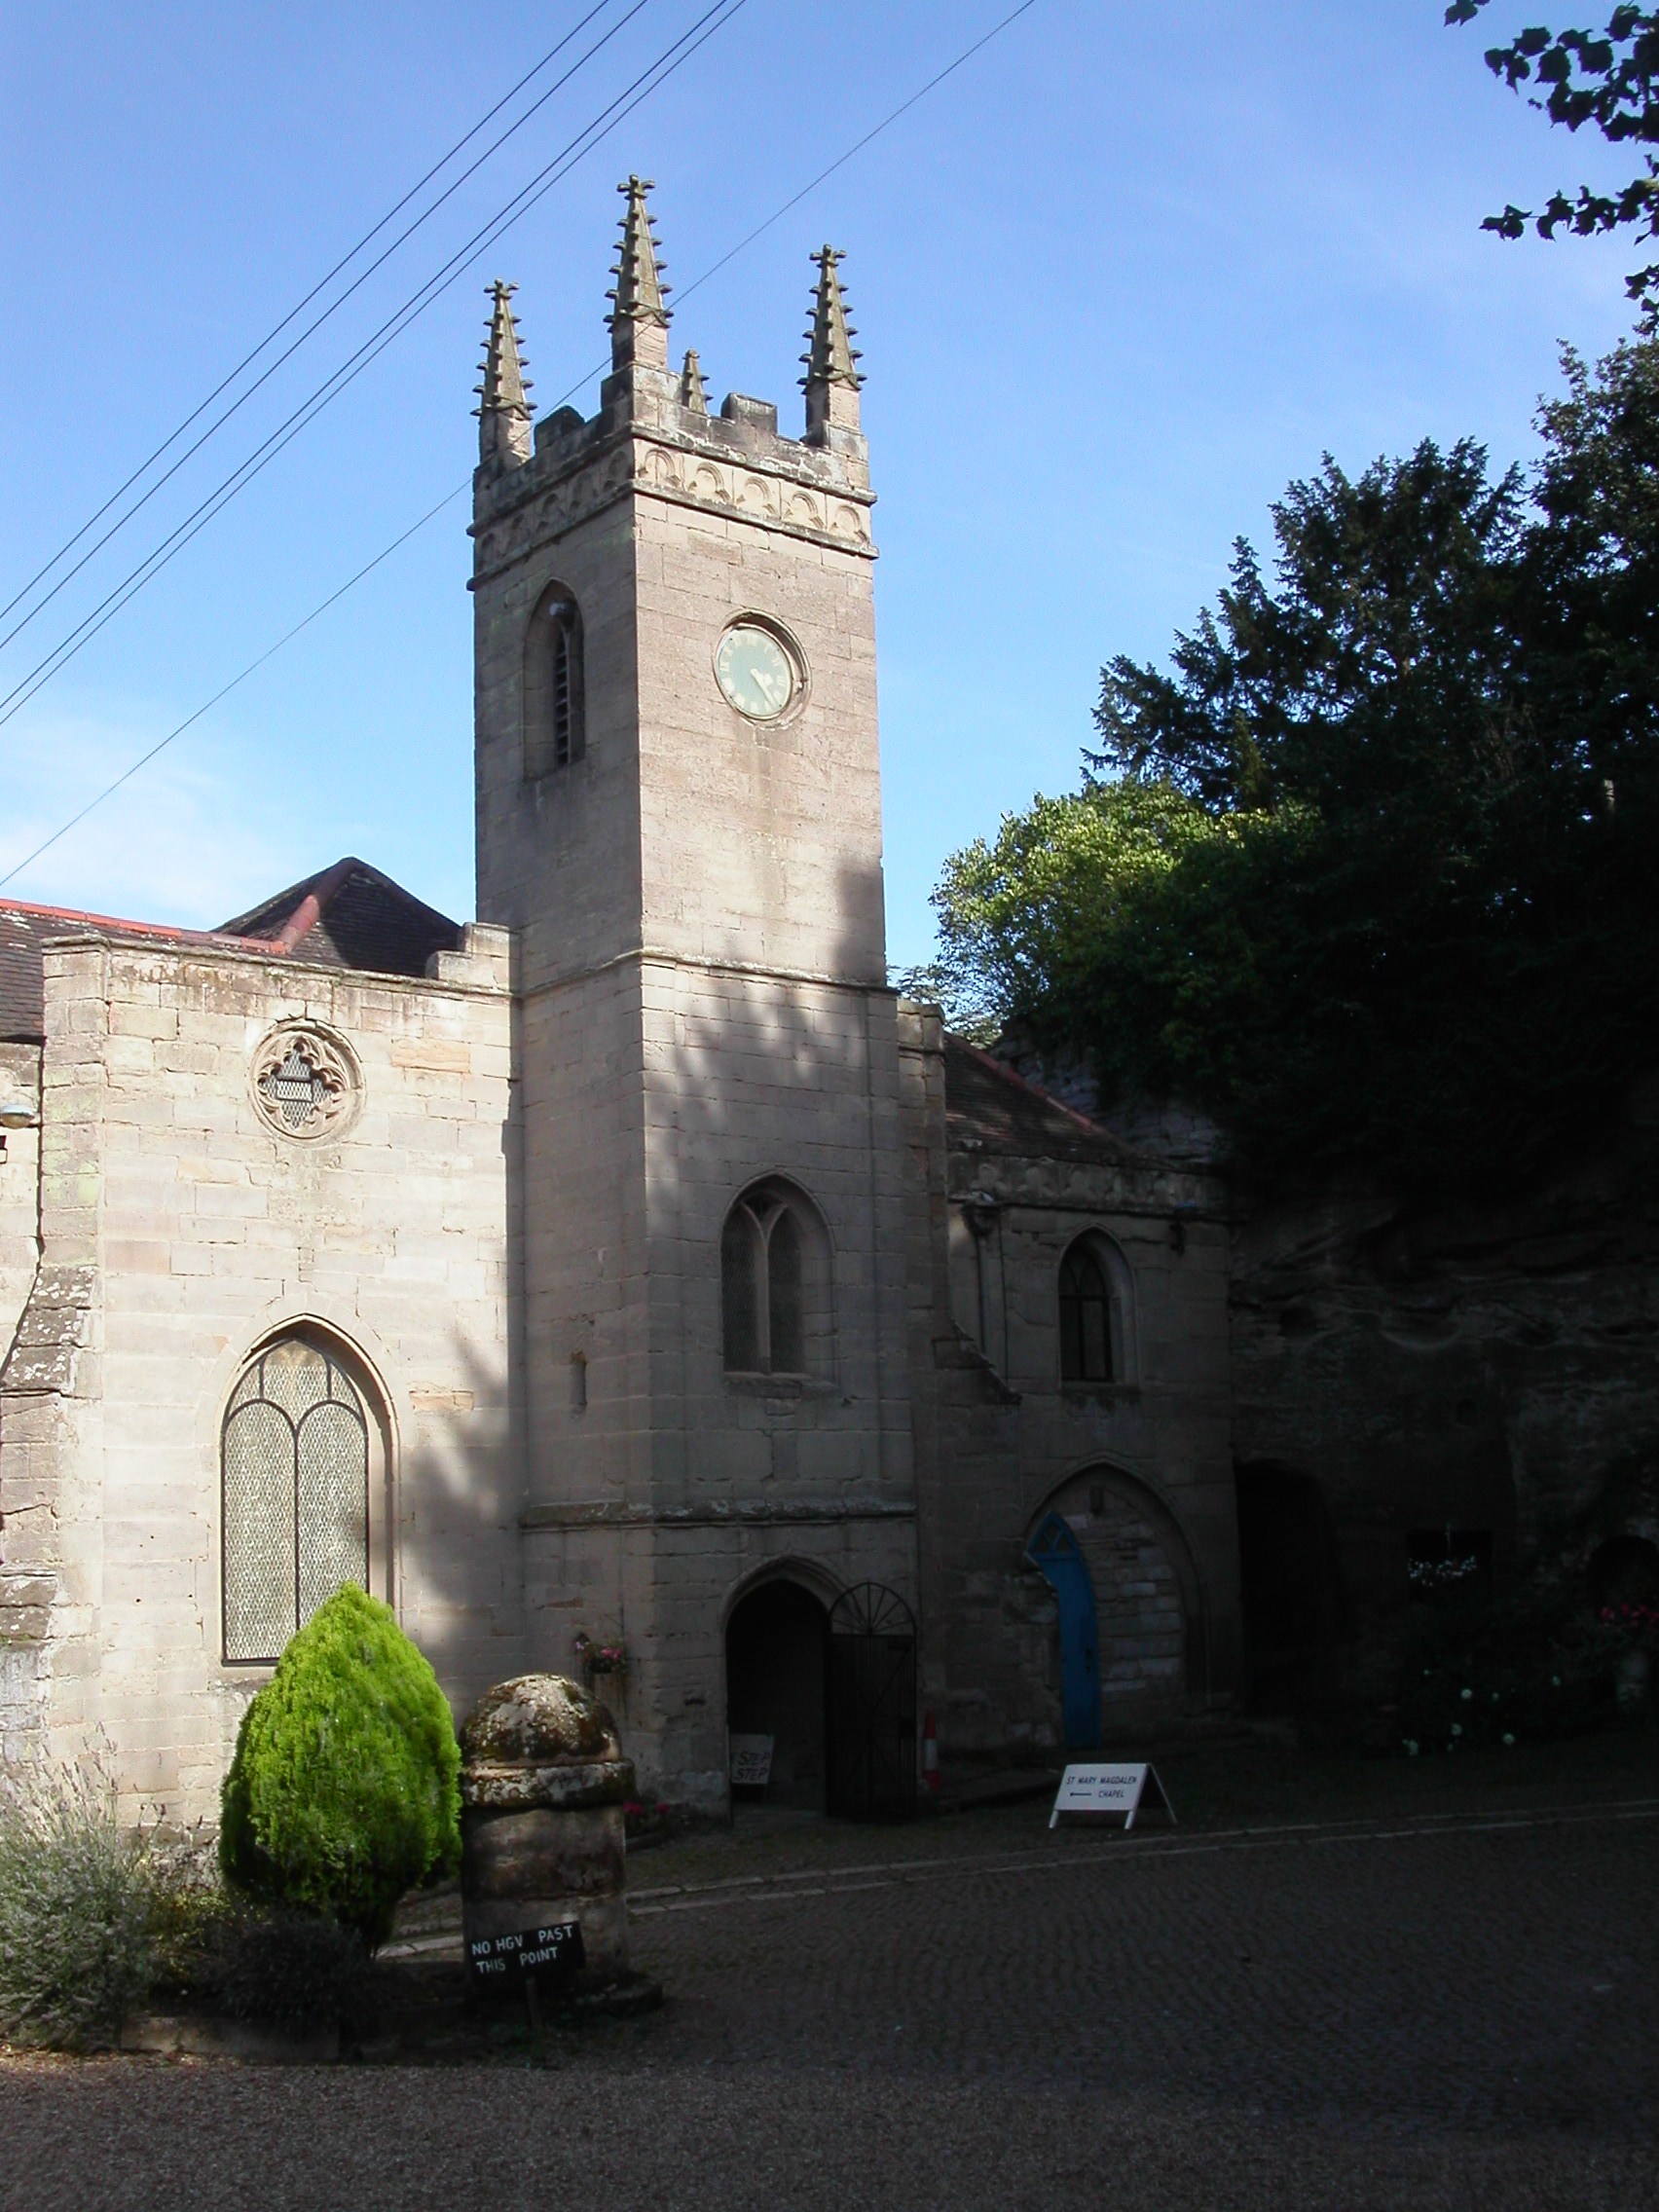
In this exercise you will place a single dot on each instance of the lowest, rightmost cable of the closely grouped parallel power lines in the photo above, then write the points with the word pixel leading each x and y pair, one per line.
pixel 574 152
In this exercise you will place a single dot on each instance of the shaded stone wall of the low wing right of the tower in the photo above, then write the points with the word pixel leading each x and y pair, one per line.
pixel 1140 1468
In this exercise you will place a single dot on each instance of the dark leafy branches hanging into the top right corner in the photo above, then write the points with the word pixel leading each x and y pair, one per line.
pixel 1609 81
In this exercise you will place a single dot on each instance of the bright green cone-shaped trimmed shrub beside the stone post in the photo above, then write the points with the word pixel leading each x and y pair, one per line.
pixel 346 1784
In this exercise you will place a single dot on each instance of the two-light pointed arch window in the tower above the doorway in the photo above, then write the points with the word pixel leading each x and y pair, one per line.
pixel 775 1284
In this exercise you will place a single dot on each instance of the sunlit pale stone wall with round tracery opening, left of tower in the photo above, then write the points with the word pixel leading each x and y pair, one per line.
pixel 180 1231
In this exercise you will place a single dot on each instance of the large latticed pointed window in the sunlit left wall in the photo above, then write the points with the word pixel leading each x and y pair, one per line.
pixel 295 1463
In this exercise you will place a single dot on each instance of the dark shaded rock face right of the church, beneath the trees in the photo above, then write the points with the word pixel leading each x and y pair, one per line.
pixel 1483 1368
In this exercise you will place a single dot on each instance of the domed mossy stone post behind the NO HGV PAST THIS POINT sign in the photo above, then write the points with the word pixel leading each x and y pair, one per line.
pixel 543 1786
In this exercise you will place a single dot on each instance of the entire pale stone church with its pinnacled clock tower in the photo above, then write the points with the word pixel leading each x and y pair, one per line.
pixel 501 1178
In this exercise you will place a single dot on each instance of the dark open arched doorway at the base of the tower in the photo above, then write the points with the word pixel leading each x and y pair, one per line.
pixel 775 1687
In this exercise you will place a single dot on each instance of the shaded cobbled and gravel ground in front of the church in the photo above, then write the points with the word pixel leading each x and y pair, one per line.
pixel 1454 2010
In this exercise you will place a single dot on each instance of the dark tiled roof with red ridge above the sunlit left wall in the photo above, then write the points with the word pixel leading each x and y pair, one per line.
pixel 346 917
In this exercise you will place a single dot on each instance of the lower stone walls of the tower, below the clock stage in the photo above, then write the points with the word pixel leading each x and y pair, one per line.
pixel 671 1485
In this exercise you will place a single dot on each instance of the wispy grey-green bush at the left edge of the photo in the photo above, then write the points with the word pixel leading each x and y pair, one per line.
pixel 76 1910
